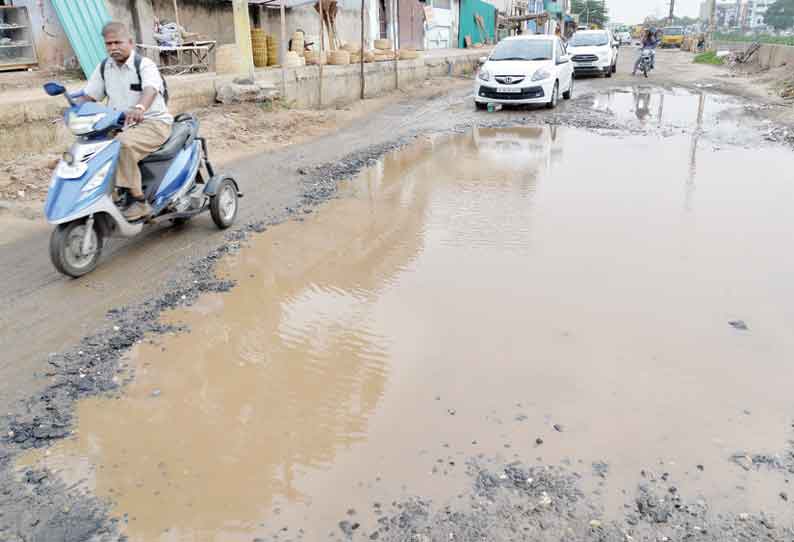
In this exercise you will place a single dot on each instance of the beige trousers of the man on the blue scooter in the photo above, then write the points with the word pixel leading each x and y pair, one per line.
pixel 137 142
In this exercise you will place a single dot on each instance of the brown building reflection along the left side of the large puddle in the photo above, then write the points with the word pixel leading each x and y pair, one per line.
pixel 279 375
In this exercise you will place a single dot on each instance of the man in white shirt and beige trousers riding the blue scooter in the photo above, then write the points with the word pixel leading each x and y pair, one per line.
pixel 132 84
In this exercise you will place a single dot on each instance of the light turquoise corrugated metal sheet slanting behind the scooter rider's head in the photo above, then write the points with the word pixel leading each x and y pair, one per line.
pixel 82 20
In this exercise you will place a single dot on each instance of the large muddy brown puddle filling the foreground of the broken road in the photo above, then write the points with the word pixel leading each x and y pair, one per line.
pixel 547 294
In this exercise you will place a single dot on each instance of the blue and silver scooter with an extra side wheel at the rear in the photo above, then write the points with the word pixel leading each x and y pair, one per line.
pixel 178 181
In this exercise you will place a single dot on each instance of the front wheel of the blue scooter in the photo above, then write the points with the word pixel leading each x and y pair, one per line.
pixel 66 249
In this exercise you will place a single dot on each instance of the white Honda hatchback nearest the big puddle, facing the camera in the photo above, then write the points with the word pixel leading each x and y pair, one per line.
pixel 525 70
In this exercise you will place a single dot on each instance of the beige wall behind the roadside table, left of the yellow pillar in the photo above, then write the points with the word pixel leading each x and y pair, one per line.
pixel 213 20
